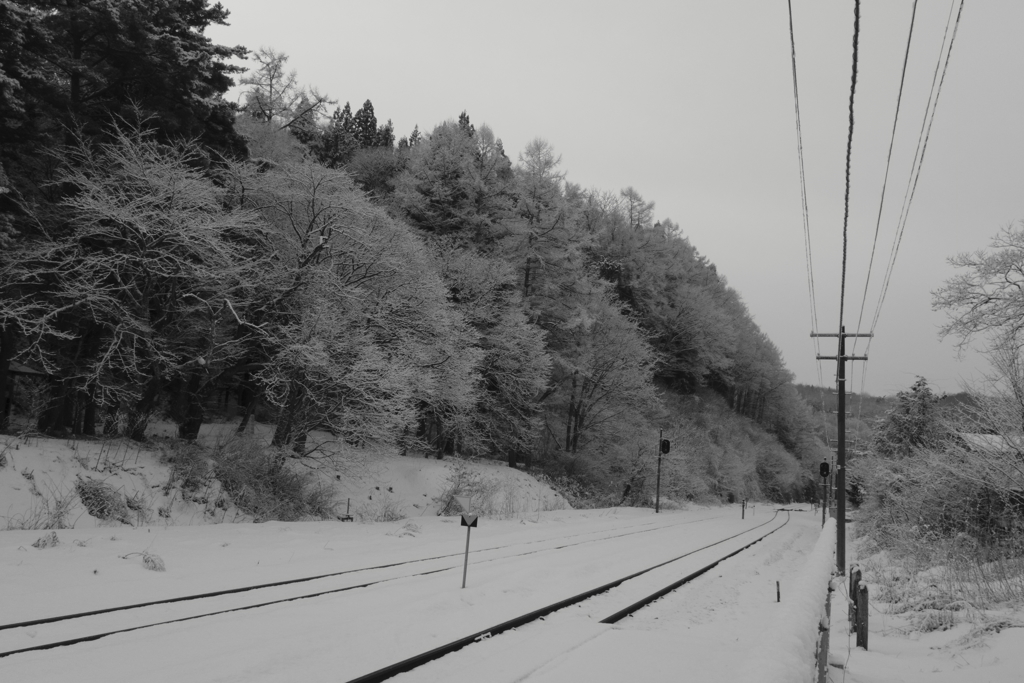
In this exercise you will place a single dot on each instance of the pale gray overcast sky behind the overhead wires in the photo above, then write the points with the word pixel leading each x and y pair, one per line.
pixel 691 103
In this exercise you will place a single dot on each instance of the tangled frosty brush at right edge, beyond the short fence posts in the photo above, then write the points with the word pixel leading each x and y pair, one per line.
pixel 936 516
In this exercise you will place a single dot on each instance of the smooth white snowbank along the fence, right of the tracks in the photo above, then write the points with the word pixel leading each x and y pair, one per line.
pixel 787 655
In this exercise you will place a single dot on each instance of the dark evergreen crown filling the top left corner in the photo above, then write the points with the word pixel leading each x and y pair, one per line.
pixel 95 60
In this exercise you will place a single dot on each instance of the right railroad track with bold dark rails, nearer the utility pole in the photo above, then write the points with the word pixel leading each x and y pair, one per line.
pixel 744 540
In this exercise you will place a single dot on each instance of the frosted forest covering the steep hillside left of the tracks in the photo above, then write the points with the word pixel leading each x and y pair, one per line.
pixel 165 252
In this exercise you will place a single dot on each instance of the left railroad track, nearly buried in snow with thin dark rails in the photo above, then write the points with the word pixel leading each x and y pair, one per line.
pixel 50 632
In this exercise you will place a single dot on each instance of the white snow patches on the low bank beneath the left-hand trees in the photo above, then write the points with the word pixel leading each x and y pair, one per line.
pixel 44 472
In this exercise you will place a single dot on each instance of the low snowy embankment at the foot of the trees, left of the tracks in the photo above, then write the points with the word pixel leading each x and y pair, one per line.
pixel 81 484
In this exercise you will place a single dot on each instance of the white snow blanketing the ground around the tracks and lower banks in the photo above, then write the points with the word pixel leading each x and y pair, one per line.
pixel 724 626
